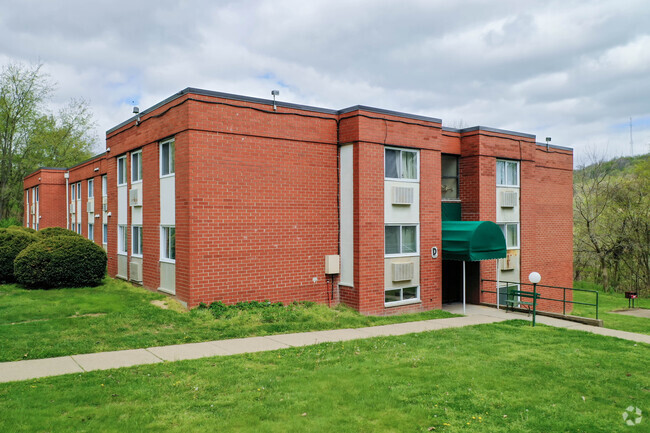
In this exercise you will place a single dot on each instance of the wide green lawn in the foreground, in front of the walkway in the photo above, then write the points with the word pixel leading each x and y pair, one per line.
pixel 506 377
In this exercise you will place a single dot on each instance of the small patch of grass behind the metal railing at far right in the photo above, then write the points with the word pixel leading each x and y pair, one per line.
pixel 607 303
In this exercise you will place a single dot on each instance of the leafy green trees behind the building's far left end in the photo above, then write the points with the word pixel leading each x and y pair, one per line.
pixel 31 136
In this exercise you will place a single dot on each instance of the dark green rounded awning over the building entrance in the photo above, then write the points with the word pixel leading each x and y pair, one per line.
pixel 472 240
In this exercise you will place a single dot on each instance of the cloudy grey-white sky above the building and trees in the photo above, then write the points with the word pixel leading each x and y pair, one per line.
pixel 575 71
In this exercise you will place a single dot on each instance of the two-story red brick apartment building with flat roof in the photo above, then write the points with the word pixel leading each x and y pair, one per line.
pixel 212 196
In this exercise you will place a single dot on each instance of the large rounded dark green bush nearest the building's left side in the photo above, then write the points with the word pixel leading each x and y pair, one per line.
pixel 61 261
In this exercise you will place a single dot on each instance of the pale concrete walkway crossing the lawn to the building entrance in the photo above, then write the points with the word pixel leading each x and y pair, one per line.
pixel 475 315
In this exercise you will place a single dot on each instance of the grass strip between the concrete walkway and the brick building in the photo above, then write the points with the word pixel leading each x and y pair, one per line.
pixel 116 315
